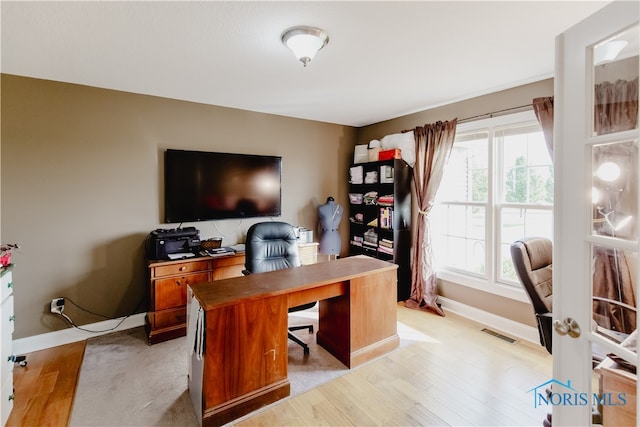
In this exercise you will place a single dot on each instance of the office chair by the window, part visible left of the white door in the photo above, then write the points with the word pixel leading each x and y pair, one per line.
pixel 533 260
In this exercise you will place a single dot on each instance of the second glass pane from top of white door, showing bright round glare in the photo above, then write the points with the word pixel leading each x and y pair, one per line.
pixel 615 189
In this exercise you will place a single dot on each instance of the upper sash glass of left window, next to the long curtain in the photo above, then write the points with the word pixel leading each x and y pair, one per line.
pixel 466 175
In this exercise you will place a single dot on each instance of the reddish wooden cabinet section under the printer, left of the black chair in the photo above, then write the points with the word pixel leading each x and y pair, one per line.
pixel 168 281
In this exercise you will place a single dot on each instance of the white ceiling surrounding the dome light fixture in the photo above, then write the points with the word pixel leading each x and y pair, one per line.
pixel 383 60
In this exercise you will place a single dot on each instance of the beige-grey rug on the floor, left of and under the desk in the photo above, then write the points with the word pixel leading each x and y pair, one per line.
pixel 125 382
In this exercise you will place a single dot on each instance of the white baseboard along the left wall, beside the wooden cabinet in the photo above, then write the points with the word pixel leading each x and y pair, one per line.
pixel 66 336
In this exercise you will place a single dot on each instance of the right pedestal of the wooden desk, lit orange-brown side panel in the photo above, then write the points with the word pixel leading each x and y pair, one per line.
pixel 361 325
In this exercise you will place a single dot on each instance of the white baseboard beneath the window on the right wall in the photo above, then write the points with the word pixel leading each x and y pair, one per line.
pixel 509 327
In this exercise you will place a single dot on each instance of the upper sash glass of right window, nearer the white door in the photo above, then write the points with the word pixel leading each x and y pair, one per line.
pixel 527 172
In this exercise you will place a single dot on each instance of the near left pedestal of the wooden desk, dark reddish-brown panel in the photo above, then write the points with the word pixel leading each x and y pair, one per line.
pixel 245 361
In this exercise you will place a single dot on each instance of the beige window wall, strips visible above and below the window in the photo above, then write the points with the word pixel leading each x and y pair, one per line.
pixel 523 95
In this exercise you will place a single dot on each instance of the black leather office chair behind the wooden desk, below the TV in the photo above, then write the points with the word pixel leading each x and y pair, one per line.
pixel 273 246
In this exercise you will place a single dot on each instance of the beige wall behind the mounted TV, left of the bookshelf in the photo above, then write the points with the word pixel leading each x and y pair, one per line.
pixel 81 186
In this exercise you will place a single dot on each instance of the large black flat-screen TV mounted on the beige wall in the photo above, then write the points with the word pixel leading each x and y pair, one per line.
pixel 202 186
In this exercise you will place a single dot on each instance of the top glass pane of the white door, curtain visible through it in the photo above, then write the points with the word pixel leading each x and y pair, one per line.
pixel 615 63
